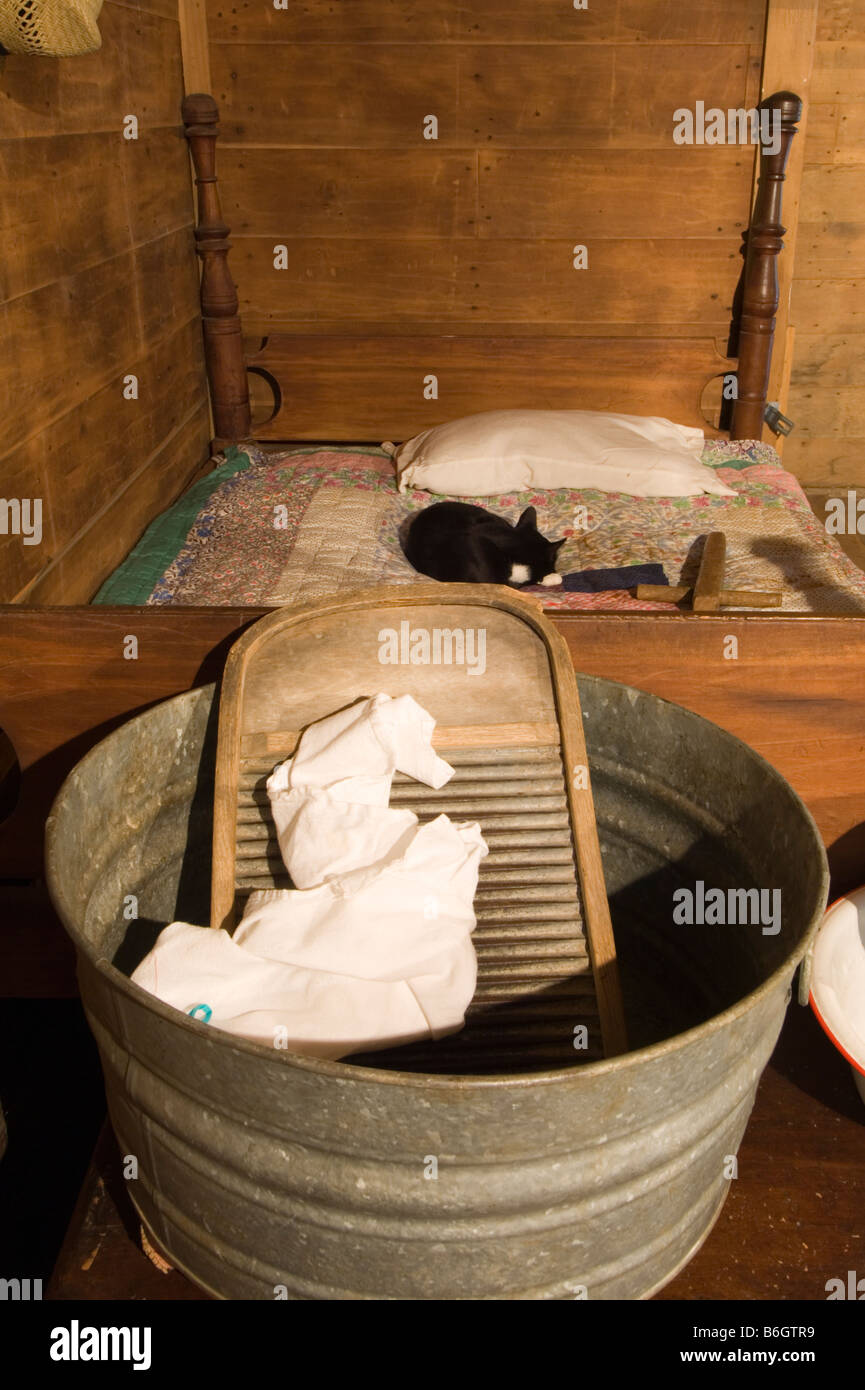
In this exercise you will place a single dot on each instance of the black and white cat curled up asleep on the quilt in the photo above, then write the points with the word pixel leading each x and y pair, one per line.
pixel 458 543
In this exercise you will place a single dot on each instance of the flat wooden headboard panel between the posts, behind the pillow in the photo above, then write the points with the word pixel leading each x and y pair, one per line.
pixel 386 377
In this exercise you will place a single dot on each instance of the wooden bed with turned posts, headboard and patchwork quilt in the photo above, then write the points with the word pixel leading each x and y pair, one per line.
pixel 279 526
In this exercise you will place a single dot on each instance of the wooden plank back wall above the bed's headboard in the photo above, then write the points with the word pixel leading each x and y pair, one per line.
pixel 554 131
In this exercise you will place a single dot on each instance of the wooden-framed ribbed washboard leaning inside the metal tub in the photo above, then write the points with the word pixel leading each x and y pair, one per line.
pixel 514 733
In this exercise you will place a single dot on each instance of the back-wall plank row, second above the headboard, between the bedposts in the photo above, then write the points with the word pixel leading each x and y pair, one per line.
pixel 522 194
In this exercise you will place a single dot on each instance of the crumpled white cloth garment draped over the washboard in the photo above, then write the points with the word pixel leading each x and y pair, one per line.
pixel 376 949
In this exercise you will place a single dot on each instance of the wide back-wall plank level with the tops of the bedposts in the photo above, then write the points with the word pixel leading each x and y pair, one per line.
pixel 489 95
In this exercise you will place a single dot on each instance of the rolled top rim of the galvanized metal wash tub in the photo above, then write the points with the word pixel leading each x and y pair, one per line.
pixel 350 1072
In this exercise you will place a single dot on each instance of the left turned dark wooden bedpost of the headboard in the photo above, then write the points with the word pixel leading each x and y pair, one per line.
pixel 220 320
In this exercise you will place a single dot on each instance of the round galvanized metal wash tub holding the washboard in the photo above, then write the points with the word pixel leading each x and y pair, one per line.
pixel 266 1175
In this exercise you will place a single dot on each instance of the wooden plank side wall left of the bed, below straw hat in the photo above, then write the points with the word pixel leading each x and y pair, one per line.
pixel 98 281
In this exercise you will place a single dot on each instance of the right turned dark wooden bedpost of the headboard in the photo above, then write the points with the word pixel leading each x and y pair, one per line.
pixel 763 244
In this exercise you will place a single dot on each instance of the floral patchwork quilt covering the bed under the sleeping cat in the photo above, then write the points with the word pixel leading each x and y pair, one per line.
pixel 291 526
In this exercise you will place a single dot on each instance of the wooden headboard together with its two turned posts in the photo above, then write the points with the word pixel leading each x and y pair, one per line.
pixel 350 382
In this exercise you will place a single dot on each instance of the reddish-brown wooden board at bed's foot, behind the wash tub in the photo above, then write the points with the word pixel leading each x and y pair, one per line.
pixel 795 694
